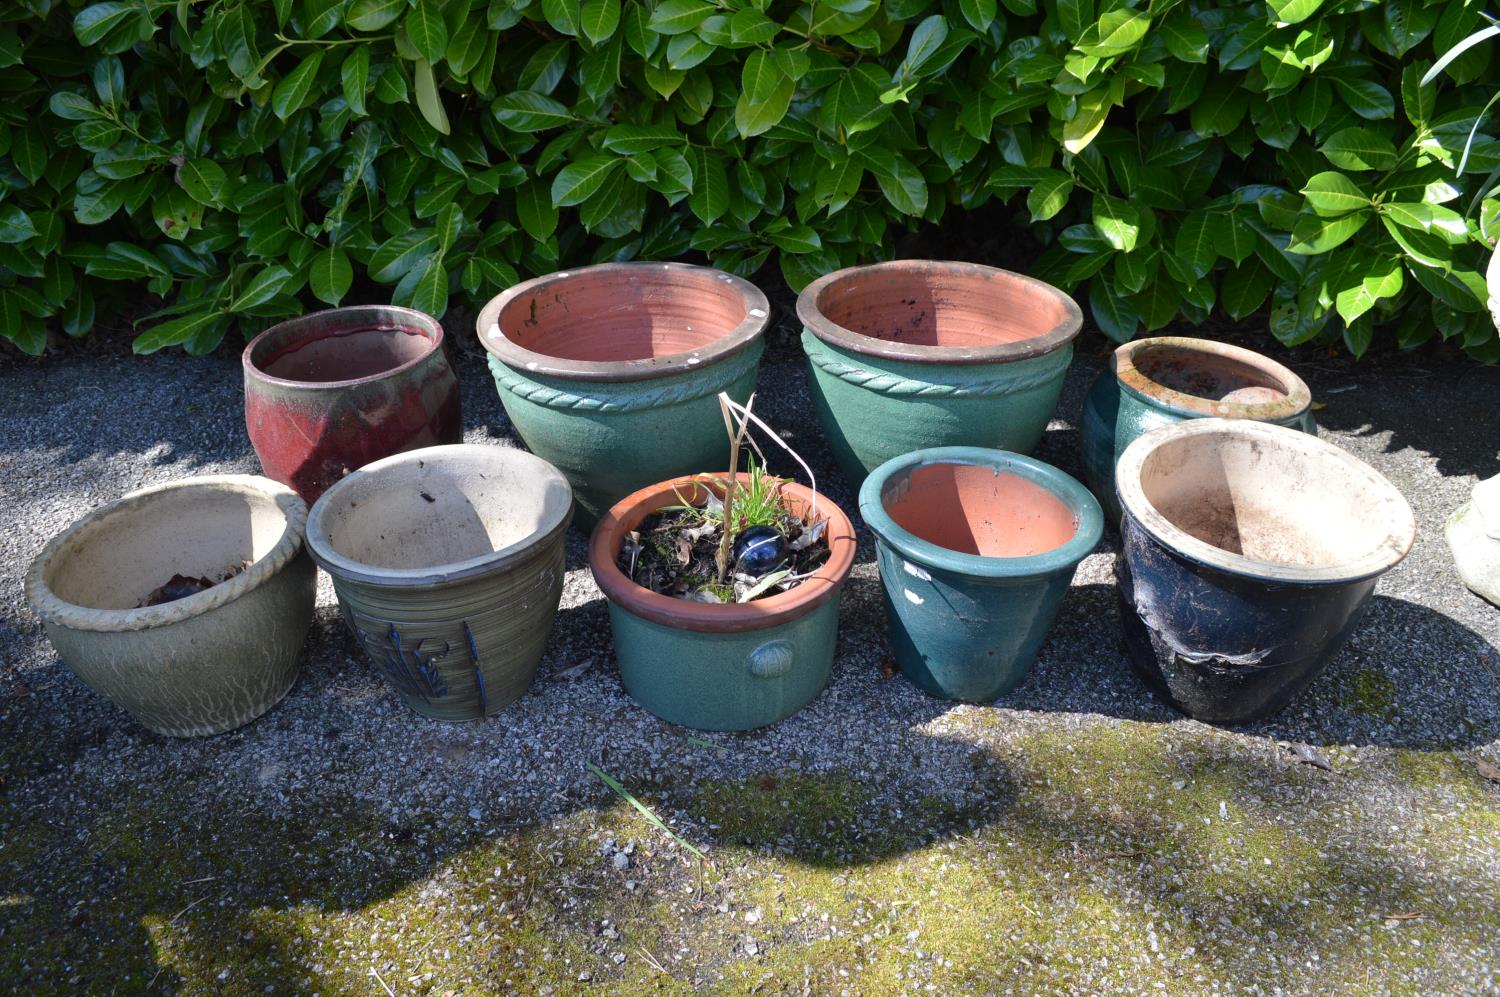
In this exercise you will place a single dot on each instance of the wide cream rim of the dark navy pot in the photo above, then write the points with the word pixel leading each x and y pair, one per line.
pixel 1393 506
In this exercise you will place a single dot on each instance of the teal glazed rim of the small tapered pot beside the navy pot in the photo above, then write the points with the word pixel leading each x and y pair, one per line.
pixel 1060 485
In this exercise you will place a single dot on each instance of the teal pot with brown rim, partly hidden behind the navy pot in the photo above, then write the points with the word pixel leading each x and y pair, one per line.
pixel 1154 383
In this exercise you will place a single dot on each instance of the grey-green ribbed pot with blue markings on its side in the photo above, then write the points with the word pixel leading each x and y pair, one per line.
pixel 449 567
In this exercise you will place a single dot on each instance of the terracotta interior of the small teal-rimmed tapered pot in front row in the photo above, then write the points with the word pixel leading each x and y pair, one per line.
pixel 979 510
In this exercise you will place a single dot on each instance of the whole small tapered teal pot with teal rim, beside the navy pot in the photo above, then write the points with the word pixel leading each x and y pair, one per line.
pixel 977 551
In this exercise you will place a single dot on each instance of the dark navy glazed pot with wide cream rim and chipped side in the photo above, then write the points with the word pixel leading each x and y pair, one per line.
pixel 1250 554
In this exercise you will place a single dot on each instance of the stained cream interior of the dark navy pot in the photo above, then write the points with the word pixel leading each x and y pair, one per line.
pixel 1286 501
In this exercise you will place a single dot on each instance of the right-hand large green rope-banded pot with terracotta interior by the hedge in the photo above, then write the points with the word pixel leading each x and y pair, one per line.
pixel 916 355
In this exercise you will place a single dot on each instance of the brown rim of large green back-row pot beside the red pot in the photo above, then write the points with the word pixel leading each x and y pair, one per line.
pixel 500 346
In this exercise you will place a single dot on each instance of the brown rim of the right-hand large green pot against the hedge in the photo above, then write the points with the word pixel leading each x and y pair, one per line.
pixel 809 310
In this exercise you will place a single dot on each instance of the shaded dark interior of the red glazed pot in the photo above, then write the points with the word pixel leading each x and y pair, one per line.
pixel 319 353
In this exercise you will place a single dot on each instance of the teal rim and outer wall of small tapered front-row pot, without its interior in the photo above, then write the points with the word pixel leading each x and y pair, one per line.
pixel 964 626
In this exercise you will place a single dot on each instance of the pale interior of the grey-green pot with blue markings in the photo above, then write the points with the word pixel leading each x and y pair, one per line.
pixel 425 513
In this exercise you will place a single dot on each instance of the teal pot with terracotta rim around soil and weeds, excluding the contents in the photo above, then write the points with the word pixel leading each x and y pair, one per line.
pixel 727 666
